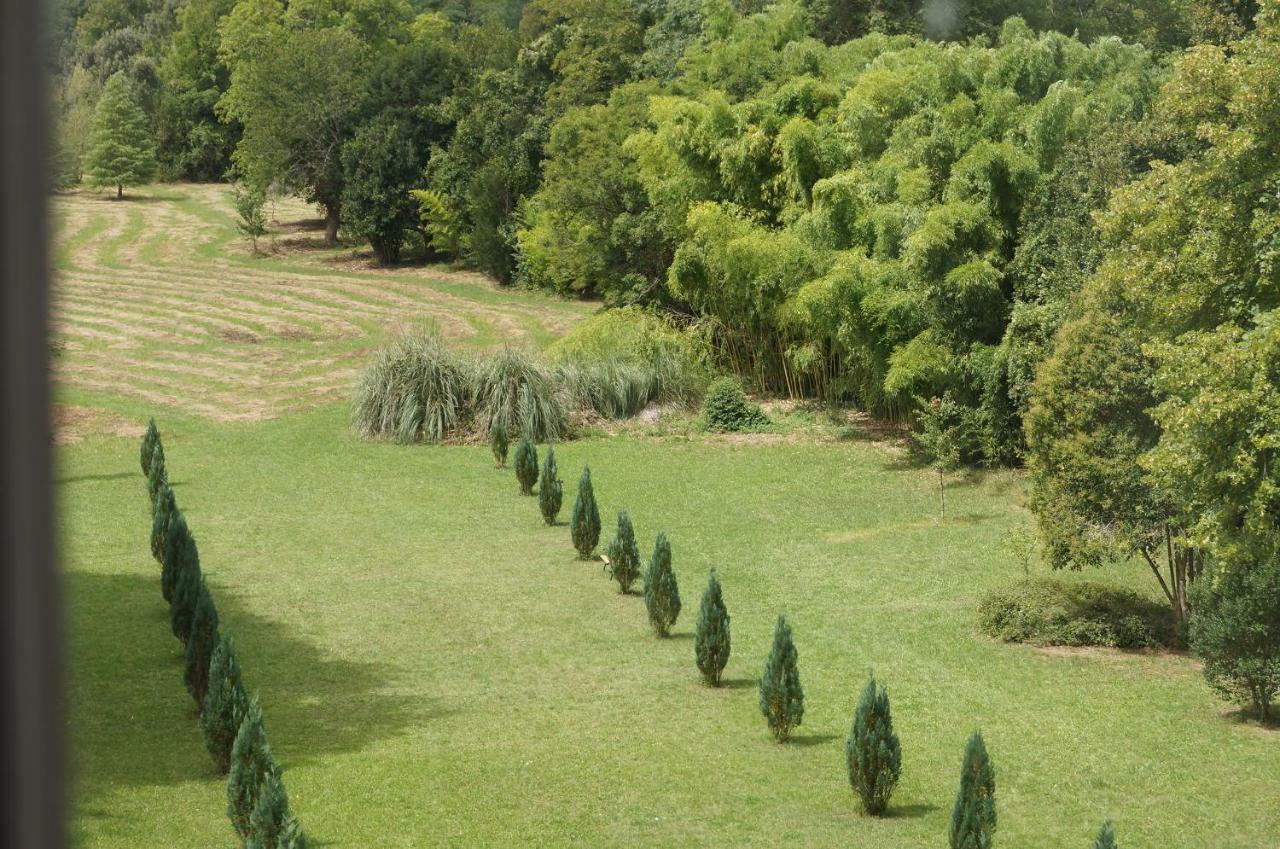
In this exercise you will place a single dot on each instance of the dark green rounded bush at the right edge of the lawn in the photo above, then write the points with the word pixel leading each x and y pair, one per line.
pixel 1236 632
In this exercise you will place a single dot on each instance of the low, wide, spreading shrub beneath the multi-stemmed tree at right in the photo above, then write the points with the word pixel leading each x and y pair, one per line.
pixel 1049 611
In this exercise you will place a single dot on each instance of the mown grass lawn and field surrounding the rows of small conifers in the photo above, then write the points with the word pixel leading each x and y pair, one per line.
pixel 438 670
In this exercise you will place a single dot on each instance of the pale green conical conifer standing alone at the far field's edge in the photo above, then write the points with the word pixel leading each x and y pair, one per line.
pixel 121 148
